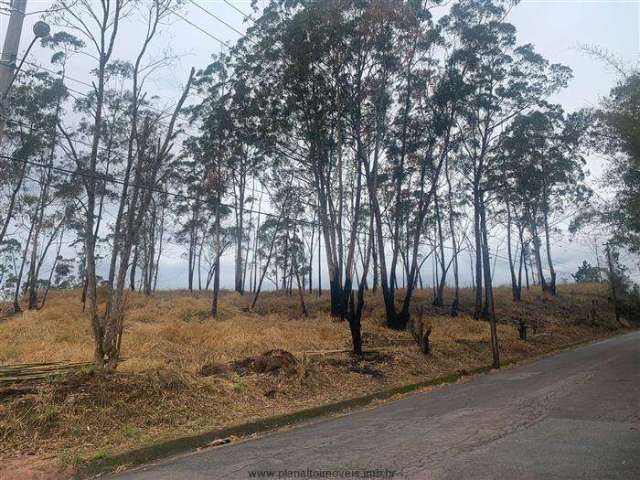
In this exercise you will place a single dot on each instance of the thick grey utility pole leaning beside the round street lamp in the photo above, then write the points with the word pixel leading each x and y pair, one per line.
pixel 9 55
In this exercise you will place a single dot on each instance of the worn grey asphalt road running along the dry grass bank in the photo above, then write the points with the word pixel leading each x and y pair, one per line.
pixel 574 415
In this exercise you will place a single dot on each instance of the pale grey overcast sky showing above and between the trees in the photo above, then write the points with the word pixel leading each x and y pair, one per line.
pixel 556 27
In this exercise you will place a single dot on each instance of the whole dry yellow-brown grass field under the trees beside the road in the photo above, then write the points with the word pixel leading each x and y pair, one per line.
pixel 185 373
